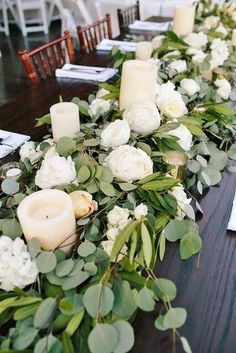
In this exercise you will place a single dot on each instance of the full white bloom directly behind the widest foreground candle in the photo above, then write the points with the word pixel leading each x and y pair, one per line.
pixel 55 170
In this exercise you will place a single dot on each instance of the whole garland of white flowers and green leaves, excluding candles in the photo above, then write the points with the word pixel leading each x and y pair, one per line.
pixel 126 203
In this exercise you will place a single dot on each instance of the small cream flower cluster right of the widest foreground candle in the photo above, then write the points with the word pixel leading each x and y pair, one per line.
pixel 118 218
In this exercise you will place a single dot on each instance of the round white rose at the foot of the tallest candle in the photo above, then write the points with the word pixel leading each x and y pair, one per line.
pixel 143 118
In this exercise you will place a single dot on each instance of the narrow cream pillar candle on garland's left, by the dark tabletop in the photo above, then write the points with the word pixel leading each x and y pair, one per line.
pixel 65 120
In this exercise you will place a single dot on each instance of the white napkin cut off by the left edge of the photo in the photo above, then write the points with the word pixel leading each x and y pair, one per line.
pixel 10 141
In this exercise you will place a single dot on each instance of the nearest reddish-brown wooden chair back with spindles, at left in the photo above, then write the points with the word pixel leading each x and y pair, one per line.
pixel 41 63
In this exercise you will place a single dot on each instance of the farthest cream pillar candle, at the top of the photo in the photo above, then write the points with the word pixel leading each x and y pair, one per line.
pixel 184 16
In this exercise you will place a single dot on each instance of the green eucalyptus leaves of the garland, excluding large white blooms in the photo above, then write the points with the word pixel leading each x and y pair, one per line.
pixel 87 301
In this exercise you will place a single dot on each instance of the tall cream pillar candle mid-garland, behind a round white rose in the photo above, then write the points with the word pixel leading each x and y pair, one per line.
pixel 138 83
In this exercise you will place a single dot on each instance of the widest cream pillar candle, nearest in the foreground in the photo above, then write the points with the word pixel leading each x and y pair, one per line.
pixel 48 216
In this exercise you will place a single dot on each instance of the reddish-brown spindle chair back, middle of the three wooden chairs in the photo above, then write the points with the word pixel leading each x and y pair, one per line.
pixel 90 36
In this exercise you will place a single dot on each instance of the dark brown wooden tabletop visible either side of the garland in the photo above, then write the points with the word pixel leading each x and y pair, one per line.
pixel 208 289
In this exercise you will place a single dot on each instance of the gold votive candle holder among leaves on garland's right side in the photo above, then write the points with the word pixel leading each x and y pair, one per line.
pixel 176 162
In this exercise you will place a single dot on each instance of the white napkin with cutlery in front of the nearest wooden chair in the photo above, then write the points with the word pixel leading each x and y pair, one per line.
pixel 88 73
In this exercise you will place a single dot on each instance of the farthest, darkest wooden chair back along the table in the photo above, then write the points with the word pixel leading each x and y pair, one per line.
pixel 128 15
